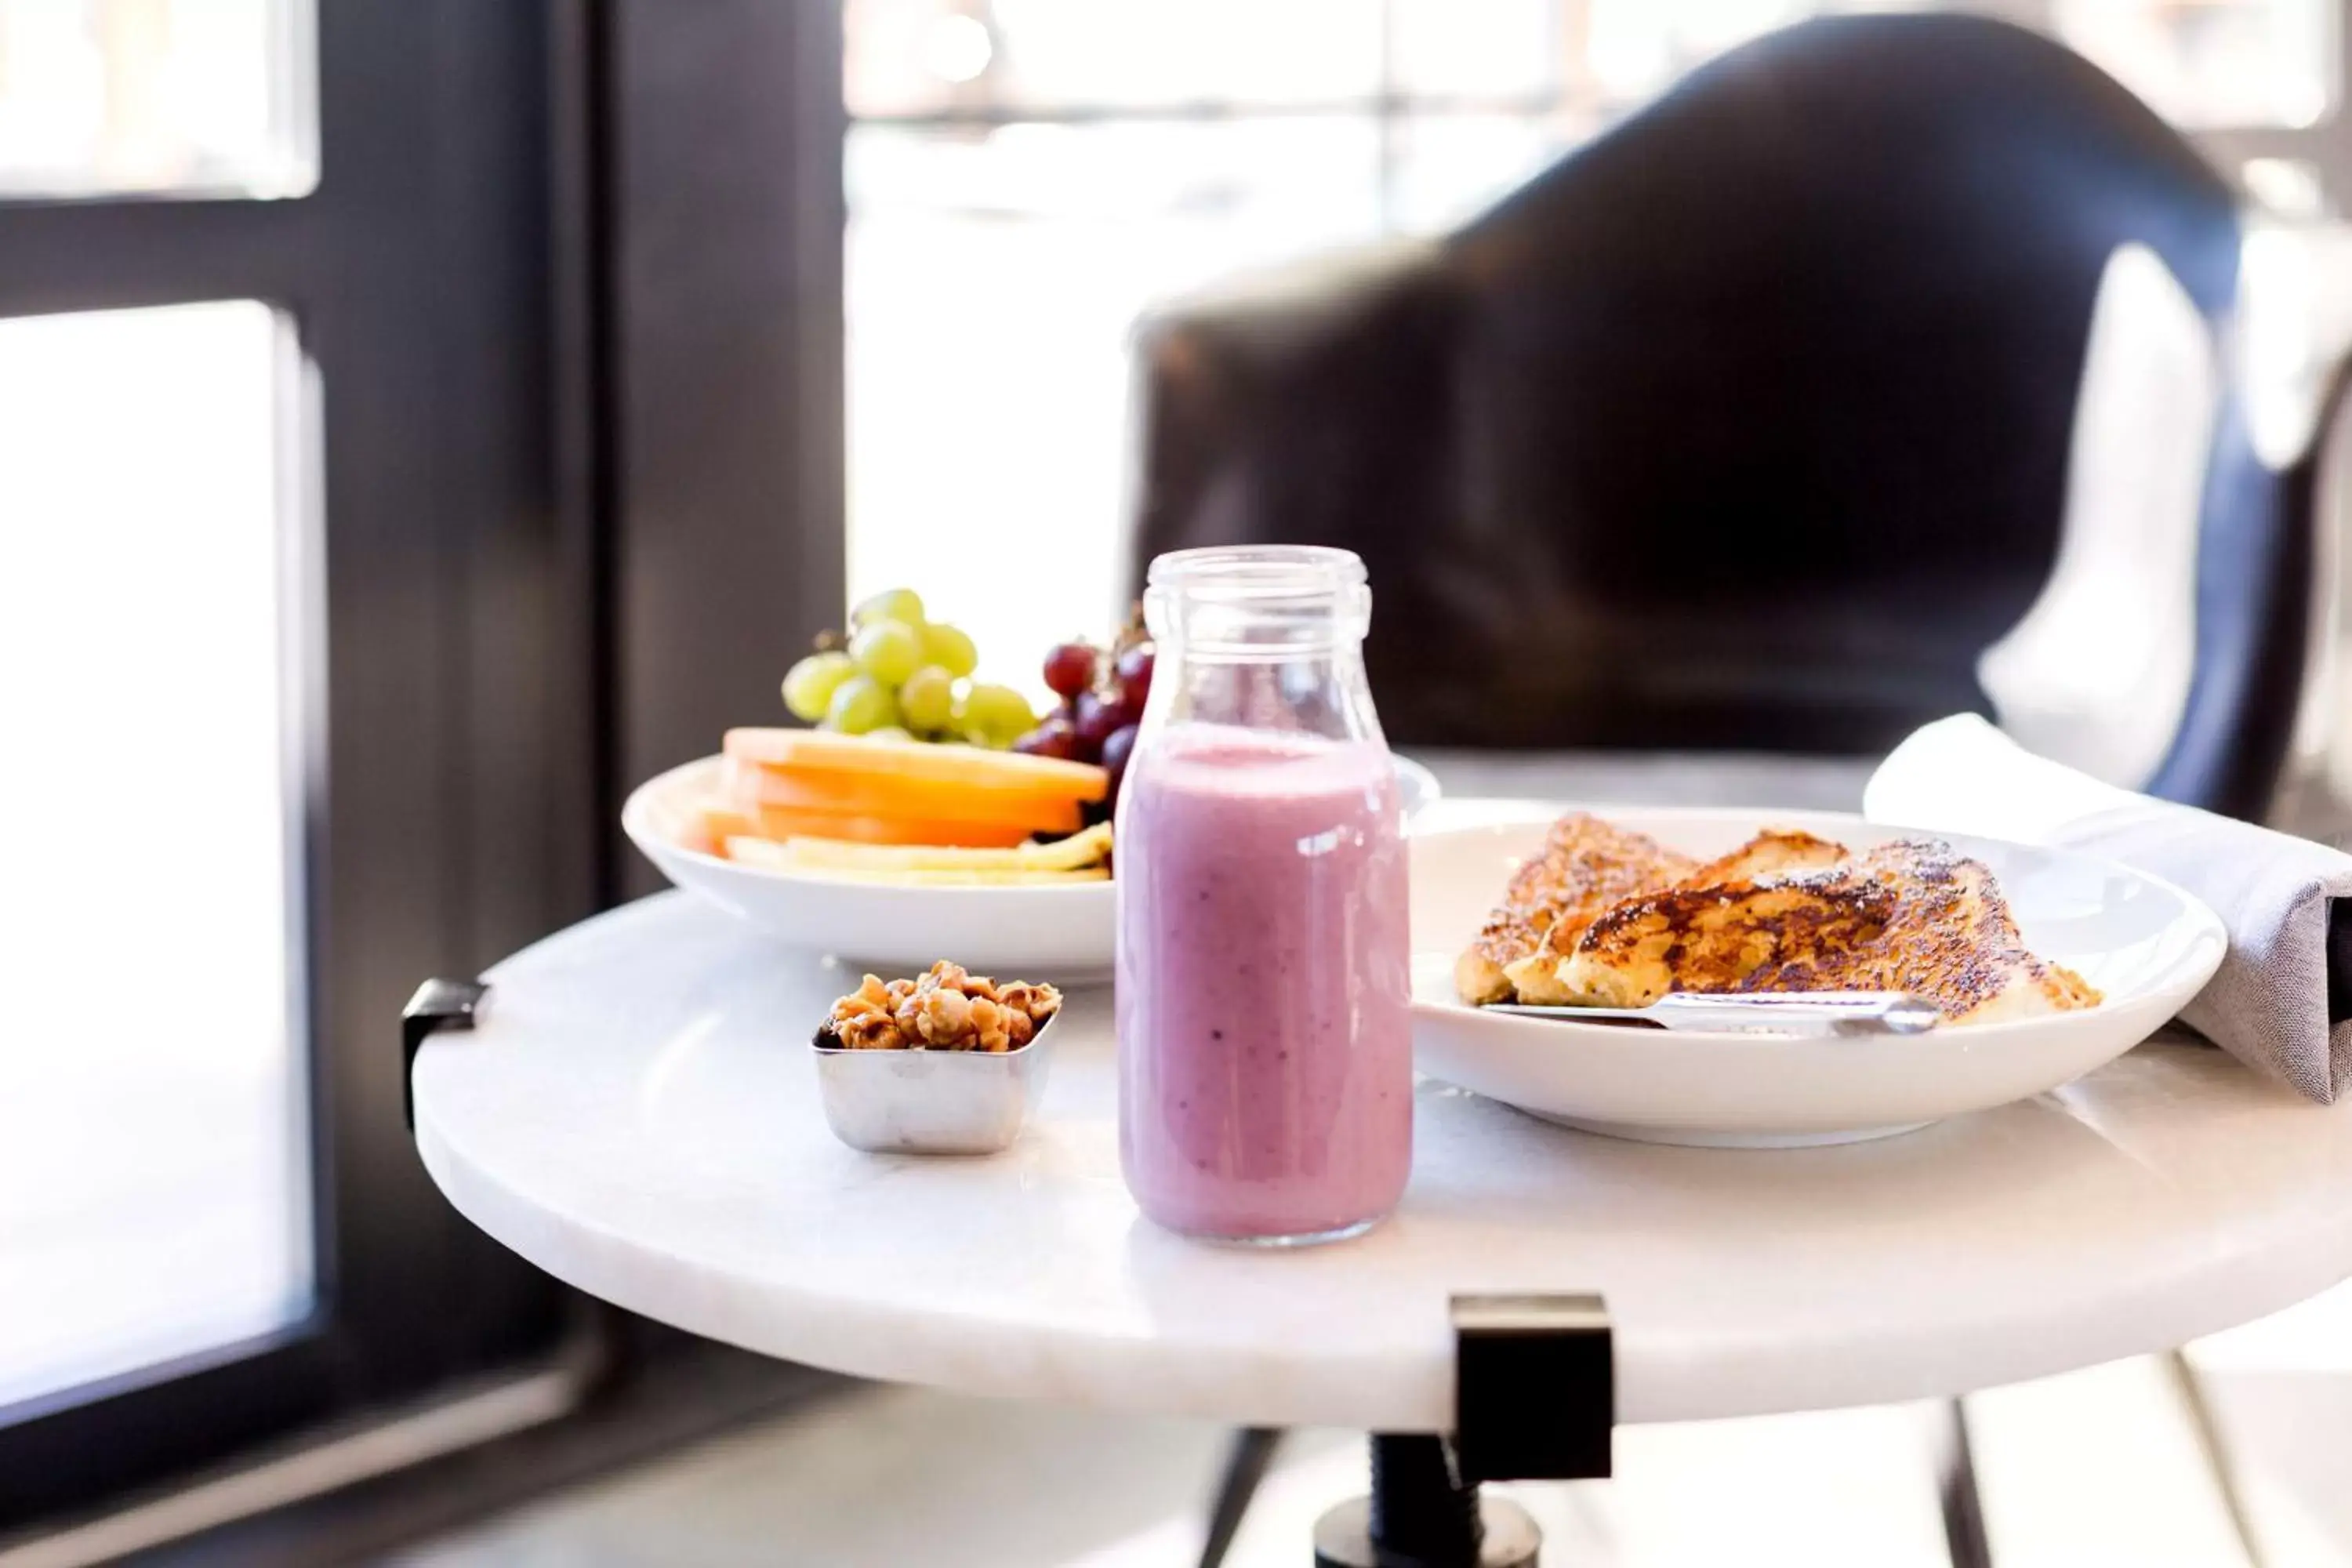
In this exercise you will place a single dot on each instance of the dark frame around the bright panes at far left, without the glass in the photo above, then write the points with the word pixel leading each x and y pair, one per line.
pixel 450 723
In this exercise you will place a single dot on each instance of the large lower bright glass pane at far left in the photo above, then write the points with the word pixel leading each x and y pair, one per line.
pixel 147 1139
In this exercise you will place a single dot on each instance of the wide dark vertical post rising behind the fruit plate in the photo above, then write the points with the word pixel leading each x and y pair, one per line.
pixel 728 363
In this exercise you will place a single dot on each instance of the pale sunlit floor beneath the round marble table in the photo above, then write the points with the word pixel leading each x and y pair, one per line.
pixel 2092 1470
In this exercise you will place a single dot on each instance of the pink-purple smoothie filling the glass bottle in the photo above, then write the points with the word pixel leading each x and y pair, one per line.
pixel 1267 1064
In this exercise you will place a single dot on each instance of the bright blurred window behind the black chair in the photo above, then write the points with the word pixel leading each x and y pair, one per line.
pixel 1024 177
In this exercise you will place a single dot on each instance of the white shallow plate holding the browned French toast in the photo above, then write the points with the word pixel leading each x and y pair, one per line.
pixel 2146 944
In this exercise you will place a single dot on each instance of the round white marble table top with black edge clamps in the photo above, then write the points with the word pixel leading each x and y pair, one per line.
pixel 639 1115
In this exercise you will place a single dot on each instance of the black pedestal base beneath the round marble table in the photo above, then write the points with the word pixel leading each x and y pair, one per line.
pixel 1422 1517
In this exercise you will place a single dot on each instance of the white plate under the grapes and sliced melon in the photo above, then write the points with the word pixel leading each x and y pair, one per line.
pixel 1038 932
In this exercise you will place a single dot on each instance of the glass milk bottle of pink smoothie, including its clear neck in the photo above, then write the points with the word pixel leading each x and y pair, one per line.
pixel 1267 1068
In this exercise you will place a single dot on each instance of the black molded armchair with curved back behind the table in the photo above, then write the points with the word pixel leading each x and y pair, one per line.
pixel 1749 424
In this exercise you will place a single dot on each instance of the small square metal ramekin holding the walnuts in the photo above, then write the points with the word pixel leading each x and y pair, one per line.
pixel 933 1101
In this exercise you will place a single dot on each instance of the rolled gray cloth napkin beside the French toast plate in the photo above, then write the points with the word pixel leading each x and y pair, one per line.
pixel 2278 1000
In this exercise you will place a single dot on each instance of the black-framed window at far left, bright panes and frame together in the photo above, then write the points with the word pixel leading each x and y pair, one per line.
pixel 295 669
